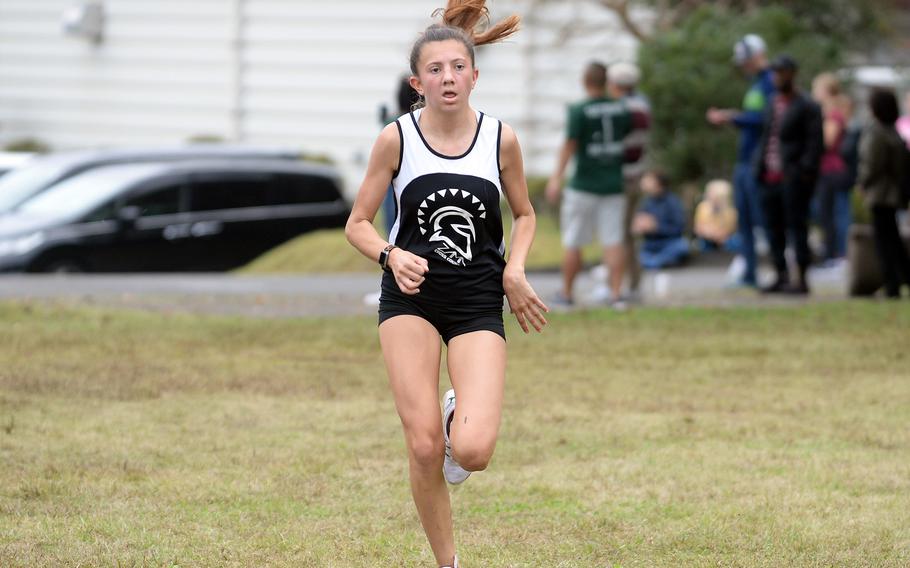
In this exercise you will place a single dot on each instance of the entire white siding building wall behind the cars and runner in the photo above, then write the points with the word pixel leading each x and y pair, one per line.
pixel 305 73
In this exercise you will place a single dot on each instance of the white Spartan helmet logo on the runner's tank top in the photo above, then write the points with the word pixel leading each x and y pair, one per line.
pixel 451 224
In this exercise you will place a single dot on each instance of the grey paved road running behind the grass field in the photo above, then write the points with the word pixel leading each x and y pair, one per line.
pixel 343 294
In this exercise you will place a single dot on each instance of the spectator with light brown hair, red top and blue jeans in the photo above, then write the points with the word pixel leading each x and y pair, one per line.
pixel 833 189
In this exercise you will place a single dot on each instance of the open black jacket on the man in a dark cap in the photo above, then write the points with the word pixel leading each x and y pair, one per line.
pixel 801 142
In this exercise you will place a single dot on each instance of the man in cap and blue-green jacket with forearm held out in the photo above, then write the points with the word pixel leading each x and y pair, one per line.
pixel 749 54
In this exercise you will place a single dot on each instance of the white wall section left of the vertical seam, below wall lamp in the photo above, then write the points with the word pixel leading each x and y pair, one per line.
pixel 159 76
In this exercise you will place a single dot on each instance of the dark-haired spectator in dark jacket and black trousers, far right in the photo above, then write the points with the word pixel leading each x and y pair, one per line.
pixel 882 167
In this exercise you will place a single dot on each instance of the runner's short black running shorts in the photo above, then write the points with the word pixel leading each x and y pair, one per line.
pixel 450 320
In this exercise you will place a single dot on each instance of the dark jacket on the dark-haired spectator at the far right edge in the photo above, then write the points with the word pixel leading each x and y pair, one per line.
pixel 881 166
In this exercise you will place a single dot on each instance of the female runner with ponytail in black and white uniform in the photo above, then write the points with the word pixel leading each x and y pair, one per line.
pixel 445 271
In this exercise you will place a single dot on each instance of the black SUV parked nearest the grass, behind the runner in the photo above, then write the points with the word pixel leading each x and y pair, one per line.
pixel 176 216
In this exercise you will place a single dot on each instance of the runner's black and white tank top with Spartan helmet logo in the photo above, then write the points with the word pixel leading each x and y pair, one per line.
pixel 448 213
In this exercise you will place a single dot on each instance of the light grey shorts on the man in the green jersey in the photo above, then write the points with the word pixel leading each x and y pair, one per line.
pixel 583 213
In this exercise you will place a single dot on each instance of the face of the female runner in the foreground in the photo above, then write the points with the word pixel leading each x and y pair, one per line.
pixel 445 74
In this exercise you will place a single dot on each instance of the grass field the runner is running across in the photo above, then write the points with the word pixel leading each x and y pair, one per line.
pixel 685 437
